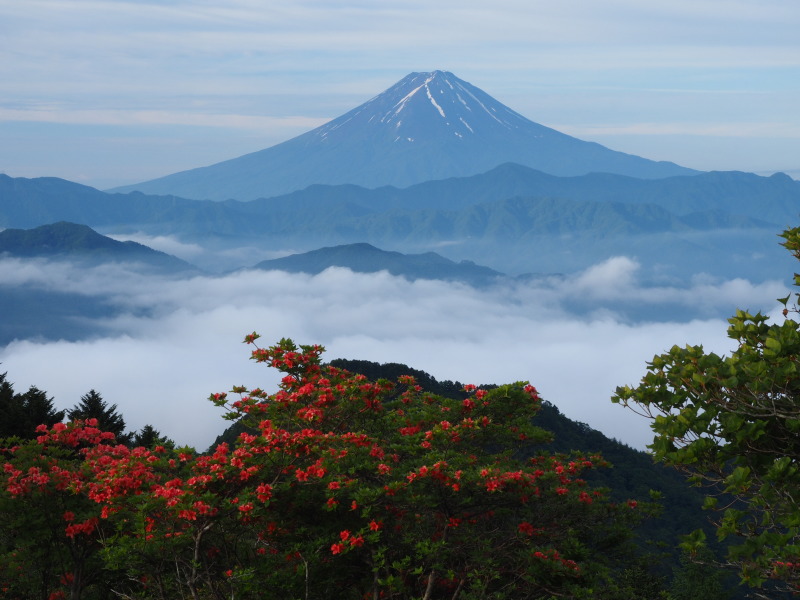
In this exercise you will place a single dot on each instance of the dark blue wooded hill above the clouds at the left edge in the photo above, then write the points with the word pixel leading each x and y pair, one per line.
pixel 70 241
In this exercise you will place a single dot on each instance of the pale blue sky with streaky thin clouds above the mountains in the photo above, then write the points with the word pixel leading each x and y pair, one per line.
pixel 109 92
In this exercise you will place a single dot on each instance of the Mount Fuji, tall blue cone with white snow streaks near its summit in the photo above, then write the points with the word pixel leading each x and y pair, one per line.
pixel 427 126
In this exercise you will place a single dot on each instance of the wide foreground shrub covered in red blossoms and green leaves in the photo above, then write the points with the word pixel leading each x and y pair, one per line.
pixel 372 489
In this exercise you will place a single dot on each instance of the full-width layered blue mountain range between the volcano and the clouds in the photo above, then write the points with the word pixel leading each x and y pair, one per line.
pixel 512 219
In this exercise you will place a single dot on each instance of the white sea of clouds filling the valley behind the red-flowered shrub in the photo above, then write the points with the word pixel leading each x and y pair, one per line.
pixel 177 341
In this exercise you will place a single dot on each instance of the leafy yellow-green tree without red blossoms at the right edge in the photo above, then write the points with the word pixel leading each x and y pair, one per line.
pixel 731 424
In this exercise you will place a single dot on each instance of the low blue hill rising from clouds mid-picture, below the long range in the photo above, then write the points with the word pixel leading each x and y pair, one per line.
pixel 365 258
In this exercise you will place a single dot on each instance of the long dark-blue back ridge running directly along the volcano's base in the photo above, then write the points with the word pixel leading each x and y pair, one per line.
pixel 32 202
